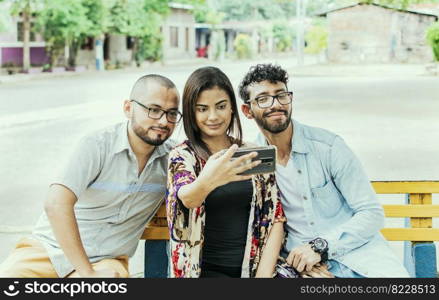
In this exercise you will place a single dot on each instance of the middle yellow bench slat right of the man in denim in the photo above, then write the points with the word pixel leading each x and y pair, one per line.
pixel 415 211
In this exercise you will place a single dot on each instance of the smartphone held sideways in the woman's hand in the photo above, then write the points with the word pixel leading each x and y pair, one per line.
pixel 267 156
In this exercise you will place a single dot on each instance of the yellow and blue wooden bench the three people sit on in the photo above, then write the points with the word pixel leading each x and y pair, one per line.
pixel 418 233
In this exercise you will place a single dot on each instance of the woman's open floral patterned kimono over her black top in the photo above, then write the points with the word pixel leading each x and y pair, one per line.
pixel 186 226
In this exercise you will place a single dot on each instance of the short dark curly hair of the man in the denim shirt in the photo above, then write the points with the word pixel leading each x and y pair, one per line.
pixel 261 72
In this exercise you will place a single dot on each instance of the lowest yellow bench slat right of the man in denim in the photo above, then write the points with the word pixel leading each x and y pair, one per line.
pixel 411 234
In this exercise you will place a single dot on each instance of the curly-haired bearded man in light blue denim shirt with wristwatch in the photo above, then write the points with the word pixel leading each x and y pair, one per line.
pixel 333 215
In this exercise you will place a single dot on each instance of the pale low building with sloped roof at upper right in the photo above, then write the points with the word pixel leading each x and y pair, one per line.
pixel 378 34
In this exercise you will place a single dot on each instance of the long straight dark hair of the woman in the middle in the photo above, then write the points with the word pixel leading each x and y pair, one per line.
pixel 200 80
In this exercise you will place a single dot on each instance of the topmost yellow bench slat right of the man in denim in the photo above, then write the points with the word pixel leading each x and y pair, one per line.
pixel 406 187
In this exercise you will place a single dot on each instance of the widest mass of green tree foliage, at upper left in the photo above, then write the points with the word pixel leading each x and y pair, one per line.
pixel 70 22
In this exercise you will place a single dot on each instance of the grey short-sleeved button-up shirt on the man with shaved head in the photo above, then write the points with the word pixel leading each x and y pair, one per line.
pixel 114 202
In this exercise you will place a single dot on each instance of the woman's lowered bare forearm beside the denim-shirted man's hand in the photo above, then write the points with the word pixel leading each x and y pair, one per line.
pixel 271 251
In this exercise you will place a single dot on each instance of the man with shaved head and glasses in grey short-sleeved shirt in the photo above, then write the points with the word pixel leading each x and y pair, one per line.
pixel 112 185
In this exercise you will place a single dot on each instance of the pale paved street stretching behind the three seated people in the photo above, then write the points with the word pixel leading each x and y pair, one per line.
pixel 387 114
